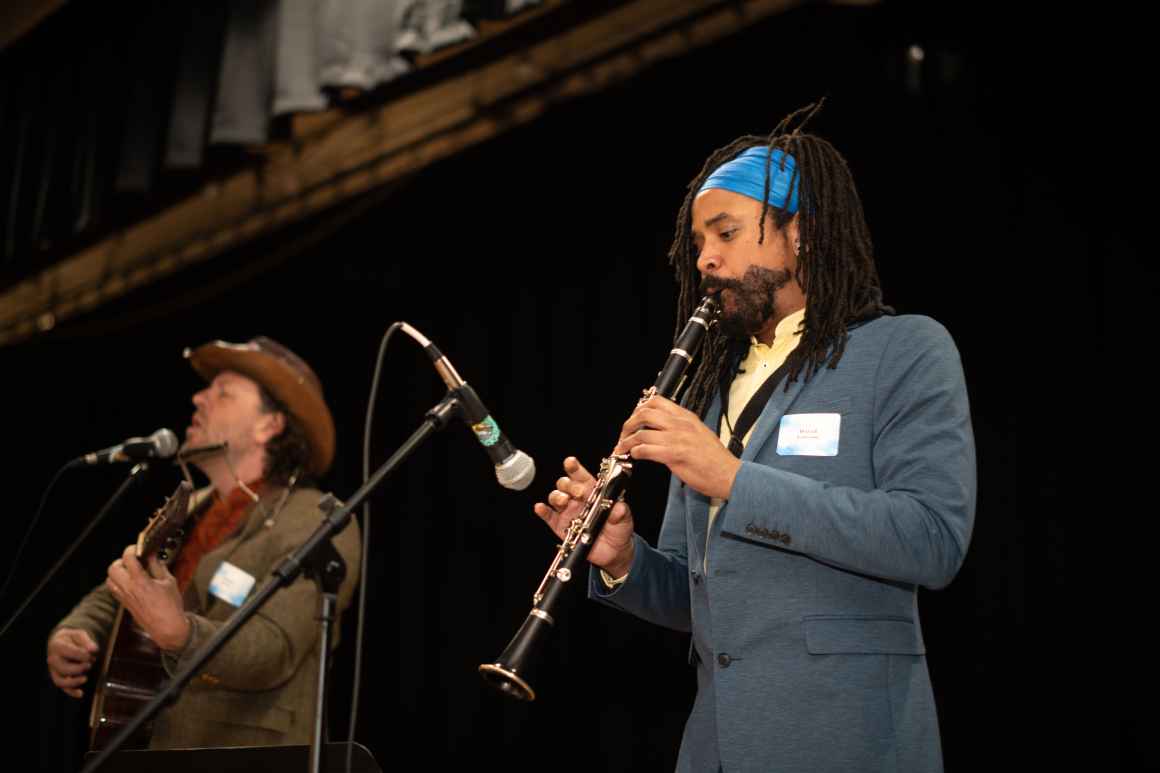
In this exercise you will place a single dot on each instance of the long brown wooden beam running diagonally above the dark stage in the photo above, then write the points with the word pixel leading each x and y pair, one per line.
pixel 366 150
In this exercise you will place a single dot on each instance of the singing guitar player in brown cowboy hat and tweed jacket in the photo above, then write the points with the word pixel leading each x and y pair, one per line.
pixel 270 434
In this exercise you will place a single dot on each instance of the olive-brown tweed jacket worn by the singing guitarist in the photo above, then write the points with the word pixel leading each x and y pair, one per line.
pixel 259 690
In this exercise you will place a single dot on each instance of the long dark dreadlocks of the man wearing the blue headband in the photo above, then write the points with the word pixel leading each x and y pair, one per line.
pixel 836 264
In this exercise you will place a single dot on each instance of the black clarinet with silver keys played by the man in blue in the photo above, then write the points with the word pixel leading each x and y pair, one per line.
pixel 509 673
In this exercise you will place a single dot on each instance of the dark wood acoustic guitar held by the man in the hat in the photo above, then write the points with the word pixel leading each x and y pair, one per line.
pixel 132 674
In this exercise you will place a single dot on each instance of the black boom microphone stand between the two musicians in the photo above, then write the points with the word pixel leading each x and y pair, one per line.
pixel 335 522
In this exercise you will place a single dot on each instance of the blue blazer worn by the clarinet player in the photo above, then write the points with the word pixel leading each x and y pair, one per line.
pixel 806 628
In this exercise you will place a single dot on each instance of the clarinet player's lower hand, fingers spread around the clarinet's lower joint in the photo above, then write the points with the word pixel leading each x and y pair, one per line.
pixel 614 548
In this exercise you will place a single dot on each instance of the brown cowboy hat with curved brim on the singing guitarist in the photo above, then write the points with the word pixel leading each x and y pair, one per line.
pixel 282 382
